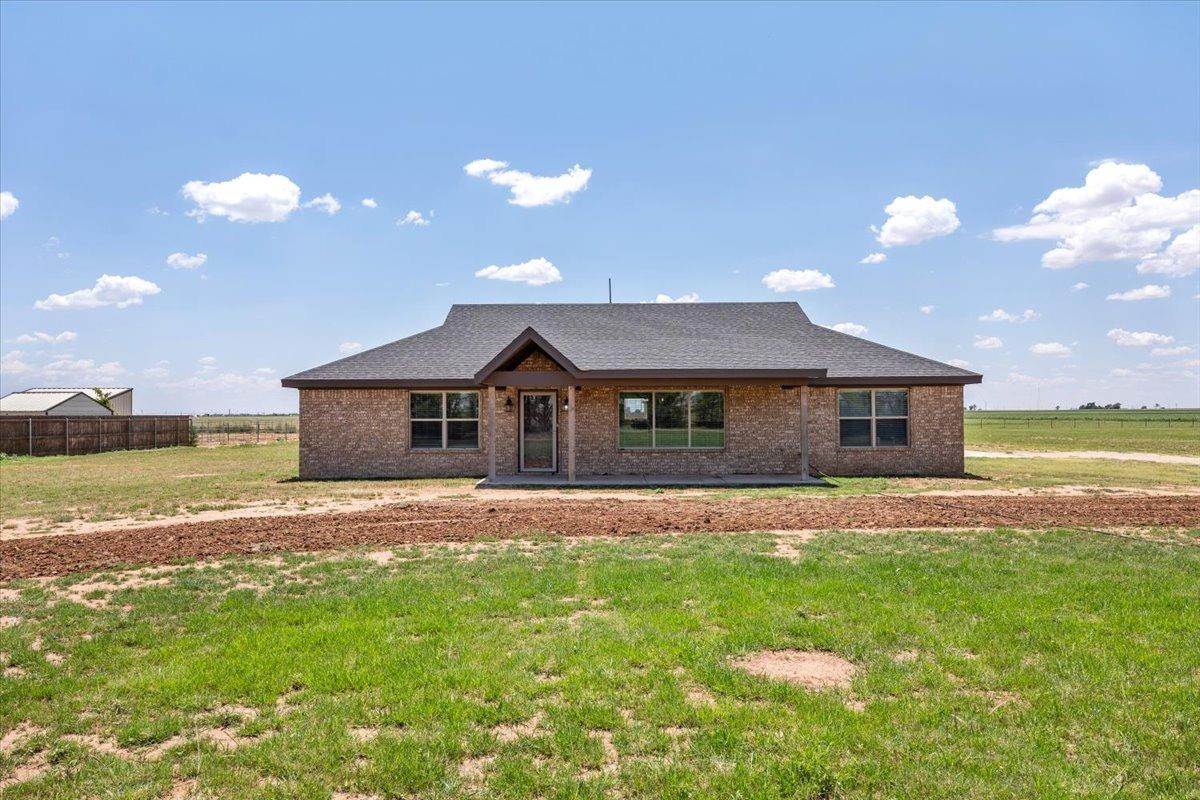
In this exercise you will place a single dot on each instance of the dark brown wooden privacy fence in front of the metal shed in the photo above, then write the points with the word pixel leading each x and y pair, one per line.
pixel 77 436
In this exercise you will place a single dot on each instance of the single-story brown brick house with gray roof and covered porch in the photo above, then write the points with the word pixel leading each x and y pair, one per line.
pixel 585 390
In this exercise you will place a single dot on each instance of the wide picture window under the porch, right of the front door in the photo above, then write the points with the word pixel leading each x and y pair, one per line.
pixel 671 420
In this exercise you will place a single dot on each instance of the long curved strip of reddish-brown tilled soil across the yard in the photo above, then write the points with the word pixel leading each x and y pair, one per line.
pixel 412 524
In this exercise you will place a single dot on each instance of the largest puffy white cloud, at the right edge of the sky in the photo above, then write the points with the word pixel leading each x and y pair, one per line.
pixel 1117 216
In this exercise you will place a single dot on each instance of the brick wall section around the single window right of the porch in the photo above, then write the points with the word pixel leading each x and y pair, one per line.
pixel 935 437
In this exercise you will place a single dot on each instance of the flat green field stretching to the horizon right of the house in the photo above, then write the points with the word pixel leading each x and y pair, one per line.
pixel 1175 432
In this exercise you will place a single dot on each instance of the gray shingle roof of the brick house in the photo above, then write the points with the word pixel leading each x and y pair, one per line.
pixel 712 336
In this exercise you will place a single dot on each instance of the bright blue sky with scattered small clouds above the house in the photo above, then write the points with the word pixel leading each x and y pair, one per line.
pixel 716 146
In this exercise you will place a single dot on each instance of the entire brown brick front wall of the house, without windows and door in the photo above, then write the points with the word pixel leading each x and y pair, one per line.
pixel 364 434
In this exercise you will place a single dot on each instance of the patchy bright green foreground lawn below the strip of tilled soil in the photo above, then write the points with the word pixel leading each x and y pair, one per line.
pixel 1042 665
